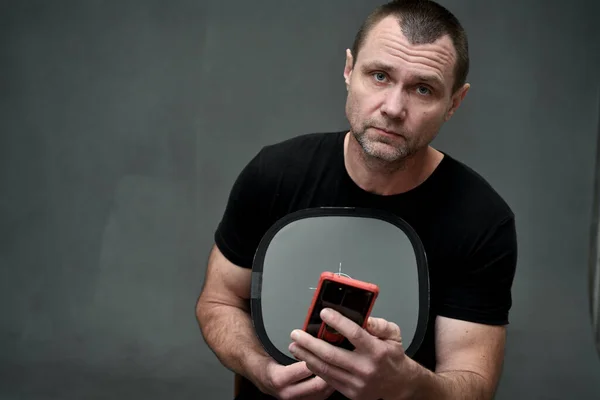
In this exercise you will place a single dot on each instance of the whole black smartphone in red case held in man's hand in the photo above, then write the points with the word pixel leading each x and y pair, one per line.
pixel 350 297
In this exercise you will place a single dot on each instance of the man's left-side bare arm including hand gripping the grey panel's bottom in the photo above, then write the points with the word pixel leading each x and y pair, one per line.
pixel 223 315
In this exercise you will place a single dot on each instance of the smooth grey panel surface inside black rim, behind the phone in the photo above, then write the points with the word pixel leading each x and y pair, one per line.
pixel 368 249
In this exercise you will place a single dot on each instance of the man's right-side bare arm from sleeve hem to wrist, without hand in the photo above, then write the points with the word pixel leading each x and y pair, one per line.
pixel 469 362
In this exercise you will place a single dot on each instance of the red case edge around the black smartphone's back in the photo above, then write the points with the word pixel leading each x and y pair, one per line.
pixel 325 332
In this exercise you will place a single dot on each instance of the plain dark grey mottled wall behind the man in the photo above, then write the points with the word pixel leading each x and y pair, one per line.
pixel 124 124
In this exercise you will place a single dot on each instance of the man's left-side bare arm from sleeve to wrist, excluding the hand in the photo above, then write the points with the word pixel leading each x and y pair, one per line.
pixel 223 315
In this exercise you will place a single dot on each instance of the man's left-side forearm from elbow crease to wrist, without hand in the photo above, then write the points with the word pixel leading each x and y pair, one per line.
pixel 228 331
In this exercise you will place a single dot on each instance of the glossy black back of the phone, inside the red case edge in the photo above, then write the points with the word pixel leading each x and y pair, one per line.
pixel 350 301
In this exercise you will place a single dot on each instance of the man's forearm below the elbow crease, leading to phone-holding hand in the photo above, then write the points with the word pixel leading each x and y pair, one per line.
pixel 464 385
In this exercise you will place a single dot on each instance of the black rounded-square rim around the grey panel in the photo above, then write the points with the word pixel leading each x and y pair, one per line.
pixel 259 258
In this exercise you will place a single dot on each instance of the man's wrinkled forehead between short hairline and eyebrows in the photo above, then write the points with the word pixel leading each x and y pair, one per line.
pixel 386 44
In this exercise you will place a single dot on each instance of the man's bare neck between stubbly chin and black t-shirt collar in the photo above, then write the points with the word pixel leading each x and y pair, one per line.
pixel 383 178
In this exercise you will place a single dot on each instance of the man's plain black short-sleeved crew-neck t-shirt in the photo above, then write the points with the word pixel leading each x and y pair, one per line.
pixel 467 229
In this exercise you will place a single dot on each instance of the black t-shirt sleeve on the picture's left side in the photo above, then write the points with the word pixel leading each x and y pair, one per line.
pixel 243 222
